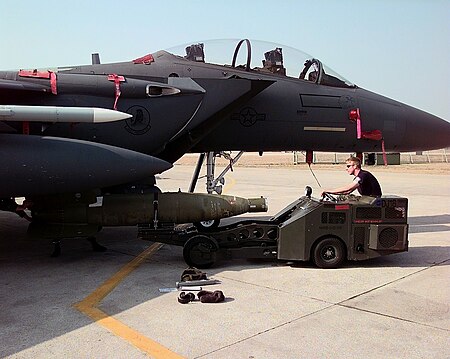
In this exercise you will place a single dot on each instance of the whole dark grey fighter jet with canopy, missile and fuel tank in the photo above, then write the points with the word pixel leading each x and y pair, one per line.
pixel 109 128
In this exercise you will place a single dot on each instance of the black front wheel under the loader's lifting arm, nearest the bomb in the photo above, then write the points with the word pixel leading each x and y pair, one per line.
pixel 200 251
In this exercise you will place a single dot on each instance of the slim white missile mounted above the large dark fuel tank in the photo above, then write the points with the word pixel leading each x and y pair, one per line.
pixel 60 114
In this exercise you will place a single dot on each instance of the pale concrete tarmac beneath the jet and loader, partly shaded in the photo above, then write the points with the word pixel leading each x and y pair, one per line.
pixel 85 304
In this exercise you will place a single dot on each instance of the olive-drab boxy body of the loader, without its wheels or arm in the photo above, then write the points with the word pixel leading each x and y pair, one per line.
pixel 367 227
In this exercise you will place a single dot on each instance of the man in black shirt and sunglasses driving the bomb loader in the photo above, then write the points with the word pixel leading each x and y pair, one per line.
pixel 364 181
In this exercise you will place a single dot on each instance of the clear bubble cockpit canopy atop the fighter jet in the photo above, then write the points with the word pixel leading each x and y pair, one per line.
pixel 264 57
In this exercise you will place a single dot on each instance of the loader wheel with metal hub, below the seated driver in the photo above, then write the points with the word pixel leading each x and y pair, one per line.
pixel 328 253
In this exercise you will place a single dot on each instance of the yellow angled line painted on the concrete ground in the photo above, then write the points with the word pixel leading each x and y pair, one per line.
pixel 88 306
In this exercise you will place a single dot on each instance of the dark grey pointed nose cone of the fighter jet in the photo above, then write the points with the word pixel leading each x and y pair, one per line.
pixel 425 131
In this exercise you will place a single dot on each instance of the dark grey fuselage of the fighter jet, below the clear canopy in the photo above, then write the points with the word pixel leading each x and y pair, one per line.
pixel 181 106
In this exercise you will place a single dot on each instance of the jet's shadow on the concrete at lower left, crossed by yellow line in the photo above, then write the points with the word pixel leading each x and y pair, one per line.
pixel 38 291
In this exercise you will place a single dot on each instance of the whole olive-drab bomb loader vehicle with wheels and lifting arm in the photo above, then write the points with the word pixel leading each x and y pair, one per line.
pixel 327 231
